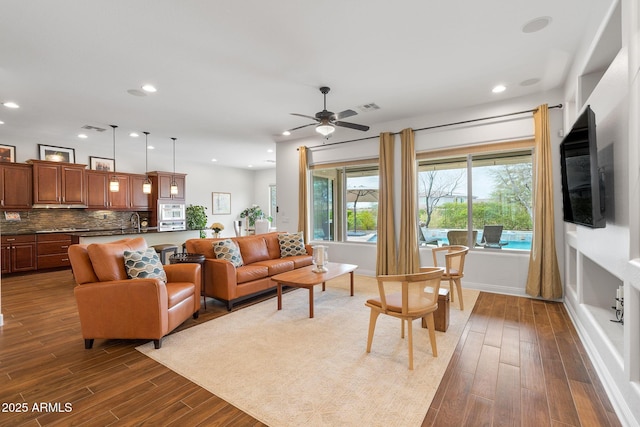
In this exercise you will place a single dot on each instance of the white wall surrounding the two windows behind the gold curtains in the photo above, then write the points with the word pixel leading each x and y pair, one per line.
pixel 501 271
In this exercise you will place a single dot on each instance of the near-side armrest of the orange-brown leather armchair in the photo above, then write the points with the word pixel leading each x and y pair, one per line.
pixel 140 309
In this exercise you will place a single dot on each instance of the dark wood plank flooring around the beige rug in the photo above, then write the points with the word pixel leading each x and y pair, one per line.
pixel 518 362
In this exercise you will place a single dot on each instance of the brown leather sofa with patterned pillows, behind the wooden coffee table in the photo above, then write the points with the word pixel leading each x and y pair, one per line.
pixel 261 257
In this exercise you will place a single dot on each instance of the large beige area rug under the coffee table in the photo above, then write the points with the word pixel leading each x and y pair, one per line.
pixel 286 369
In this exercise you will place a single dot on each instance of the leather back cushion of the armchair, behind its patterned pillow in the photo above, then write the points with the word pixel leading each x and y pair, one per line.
pixel 107 259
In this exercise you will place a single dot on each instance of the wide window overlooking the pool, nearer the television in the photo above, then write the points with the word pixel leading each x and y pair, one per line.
pixel 459 195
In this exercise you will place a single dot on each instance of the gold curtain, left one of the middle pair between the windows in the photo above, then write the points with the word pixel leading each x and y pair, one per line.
pixel 386 246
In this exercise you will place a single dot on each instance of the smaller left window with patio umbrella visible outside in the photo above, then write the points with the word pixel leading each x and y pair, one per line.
pixel 345 203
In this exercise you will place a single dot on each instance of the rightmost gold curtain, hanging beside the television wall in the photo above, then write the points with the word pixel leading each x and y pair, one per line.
pixel 544 276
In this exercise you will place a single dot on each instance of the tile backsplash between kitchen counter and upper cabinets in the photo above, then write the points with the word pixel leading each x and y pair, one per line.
pixel 47 219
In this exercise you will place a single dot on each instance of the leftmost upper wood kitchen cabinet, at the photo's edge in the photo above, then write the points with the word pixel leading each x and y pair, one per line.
pixel 16 186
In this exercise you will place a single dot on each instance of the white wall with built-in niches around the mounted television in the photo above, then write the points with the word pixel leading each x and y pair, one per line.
pixel 600 260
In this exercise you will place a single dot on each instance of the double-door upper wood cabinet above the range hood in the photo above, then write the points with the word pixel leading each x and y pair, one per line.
pixel 57 183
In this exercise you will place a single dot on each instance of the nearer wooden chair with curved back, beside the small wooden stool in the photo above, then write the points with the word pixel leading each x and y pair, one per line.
pixel 417 299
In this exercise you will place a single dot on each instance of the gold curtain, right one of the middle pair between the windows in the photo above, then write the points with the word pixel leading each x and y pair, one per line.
pixel 409 257
